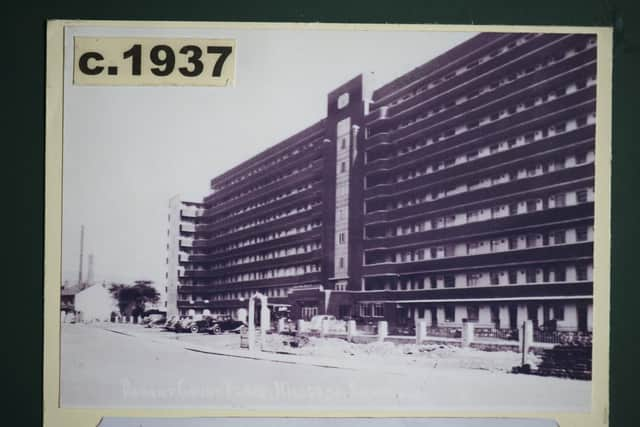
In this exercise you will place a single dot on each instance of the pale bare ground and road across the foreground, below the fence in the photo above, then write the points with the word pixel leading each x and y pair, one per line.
pixel 100 368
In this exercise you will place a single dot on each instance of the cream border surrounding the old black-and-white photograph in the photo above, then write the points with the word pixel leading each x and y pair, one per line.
pixel 55 416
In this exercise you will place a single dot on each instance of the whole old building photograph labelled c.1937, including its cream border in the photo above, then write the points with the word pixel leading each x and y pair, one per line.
pixel 327 220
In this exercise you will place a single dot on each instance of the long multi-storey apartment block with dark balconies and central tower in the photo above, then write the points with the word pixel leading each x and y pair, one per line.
pixel 461 191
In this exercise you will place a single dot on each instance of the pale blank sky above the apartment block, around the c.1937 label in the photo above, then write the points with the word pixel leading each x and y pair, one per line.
pixel 127 150
